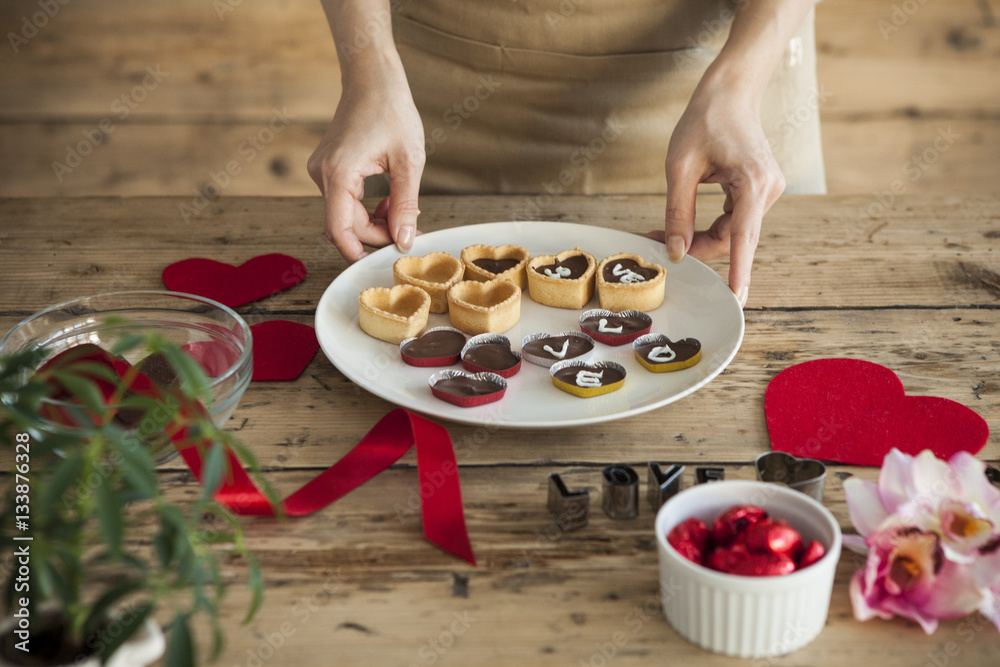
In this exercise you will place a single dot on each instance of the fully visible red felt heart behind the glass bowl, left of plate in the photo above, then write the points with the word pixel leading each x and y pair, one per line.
pixel 235 286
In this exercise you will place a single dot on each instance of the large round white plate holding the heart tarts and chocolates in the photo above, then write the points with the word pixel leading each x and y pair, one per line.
pixel 698 305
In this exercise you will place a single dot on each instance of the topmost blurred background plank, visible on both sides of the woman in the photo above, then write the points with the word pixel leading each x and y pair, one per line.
pixel 261 54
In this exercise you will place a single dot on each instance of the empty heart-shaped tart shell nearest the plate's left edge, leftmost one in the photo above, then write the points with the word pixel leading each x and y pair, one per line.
pixel 393 314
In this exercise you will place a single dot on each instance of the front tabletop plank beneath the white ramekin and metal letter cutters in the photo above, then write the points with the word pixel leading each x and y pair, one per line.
pixel 358 575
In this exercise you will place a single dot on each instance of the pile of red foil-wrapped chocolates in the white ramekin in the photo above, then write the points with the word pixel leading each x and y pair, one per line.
pixel 744 541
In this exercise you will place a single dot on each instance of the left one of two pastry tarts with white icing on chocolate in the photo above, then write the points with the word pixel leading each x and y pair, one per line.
pixel 565 280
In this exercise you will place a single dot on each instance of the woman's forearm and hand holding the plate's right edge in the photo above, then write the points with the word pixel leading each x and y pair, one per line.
pixel 719 140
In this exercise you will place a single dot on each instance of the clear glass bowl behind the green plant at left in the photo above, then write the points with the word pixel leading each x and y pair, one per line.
pixel 190 322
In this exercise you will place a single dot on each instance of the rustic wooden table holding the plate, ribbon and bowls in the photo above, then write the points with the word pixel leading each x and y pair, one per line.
pixel 915 287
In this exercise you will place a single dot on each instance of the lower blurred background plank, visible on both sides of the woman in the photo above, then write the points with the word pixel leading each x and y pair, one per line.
pixel 180 159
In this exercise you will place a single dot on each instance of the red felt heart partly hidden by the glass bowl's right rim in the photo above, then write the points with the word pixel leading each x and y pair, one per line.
pixel 282 349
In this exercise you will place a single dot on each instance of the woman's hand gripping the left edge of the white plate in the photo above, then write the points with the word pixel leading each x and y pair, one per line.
pixel 375 130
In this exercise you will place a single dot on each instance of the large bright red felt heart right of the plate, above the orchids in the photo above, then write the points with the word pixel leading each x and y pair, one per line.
pixel 854 411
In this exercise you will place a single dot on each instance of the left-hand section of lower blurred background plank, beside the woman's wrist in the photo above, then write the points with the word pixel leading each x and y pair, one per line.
pixel 78 160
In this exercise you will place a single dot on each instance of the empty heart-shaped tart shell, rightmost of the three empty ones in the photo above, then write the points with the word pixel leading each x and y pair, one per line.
pixel 490 307
